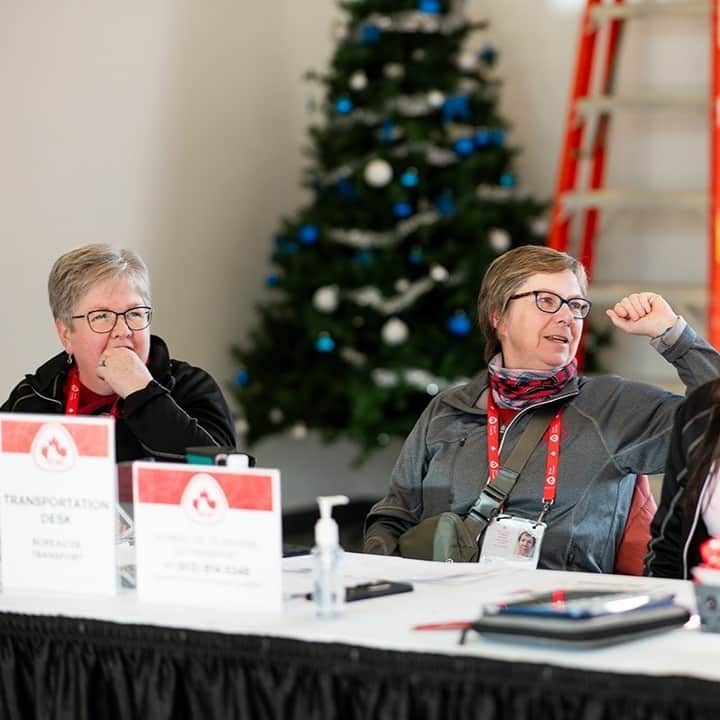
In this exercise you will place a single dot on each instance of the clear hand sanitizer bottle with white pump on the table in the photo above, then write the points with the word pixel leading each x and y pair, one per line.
pixel 328 589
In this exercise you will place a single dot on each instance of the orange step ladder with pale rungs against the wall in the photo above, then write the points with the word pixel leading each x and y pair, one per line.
pixel 584 140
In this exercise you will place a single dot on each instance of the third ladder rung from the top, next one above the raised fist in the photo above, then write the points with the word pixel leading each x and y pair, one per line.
pixel 632 198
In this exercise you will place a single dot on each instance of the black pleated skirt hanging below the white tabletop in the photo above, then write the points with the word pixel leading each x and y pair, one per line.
pixel 54 667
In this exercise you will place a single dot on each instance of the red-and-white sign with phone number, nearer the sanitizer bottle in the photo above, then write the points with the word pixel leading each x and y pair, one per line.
pixel 208 536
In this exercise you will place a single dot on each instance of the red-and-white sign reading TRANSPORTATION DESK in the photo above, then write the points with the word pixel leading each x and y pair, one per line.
pixel 57 503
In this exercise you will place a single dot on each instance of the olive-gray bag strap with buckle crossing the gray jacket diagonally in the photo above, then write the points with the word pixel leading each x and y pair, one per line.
pixel 494 495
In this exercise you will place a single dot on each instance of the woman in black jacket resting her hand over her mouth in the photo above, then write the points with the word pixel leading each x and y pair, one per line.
pixel 111 364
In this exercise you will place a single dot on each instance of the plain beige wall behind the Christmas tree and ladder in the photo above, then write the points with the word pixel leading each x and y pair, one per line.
pixel 176 127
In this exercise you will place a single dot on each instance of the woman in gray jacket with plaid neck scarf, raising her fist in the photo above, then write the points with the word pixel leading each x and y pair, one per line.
pixel 583 440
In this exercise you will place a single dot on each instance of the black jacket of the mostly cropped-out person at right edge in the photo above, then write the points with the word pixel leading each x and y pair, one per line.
pixel 676 534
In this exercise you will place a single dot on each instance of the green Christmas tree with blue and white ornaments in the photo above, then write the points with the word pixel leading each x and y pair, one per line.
pixel 414 193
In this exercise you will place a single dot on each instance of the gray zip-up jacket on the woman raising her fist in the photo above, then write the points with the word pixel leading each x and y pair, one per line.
pixel 612 429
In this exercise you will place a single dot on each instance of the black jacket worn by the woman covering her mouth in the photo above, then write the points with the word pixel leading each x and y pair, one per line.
pixel 181 407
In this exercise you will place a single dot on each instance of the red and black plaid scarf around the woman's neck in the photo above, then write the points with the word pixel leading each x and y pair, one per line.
pixel 516 389
